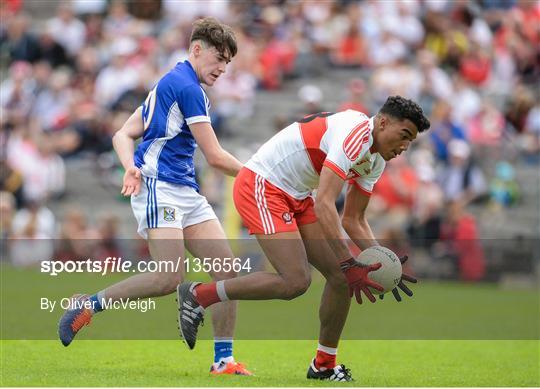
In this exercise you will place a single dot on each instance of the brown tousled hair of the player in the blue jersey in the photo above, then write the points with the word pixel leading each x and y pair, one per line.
pixel 215 34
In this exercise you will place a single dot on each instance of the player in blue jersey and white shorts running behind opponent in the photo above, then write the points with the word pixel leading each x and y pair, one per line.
pixel 160 178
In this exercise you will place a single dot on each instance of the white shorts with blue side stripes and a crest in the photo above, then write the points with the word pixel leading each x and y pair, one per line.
pixel 162 204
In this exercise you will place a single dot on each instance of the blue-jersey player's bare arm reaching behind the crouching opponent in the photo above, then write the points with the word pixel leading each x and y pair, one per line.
pixel 215 155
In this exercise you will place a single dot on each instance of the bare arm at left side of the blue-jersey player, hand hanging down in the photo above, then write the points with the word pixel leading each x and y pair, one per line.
pixel 124 145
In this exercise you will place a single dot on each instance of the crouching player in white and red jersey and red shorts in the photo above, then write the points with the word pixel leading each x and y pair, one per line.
pixel 273 194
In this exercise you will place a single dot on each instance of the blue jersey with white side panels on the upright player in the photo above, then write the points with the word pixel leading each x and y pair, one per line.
pixel 166 152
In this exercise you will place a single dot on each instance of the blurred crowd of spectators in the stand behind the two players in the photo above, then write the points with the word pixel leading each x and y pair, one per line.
pixel 69 82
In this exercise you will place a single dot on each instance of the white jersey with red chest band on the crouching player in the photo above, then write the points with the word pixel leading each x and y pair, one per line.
pixel 293 159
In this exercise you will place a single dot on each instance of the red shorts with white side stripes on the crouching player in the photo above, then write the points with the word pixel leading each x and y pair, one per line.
pixel 266 209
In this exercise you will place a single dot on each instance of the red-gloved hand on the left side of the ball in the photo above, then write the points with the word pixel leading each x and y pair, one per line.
pixel 356 274
